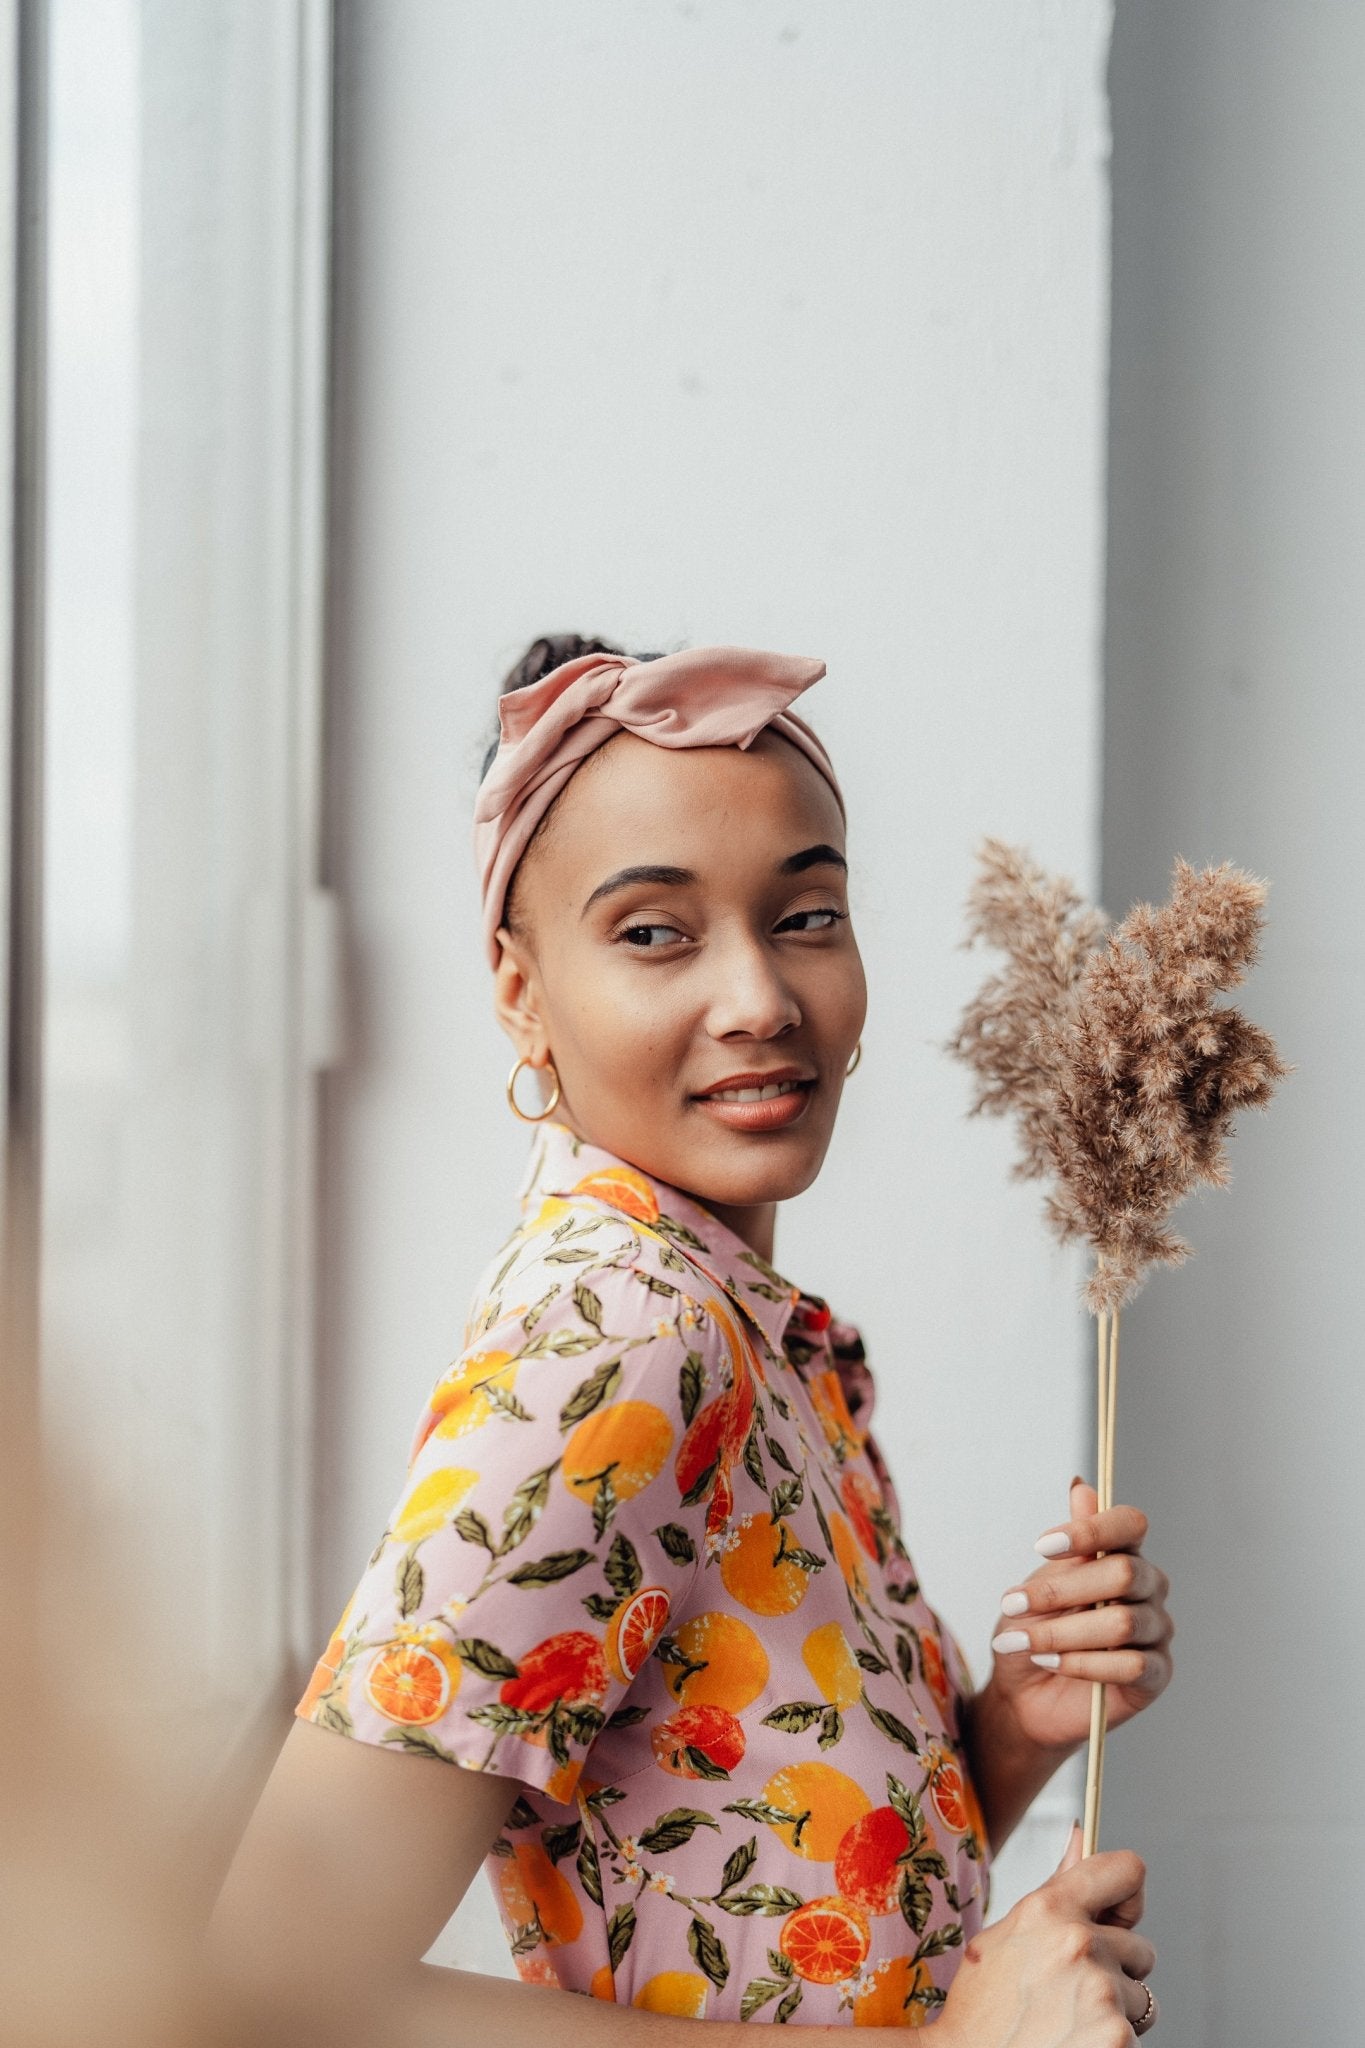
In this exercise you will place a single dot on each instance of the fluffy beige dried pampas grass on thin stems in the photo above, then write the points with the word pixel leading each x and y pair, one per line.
pixel 1125 1074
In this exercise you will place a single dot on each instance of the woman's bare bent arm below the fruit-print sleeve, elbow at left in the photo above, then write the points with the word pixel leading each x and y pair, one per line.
pixel 349 1869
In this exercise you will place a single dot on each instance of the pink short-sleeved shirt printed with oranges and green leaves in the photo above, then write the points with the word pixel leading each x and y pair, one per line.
pixel 648 1566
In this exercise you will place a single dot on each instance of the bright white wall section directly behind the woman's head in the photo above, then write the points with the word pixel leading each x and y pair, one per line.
pixel 779 325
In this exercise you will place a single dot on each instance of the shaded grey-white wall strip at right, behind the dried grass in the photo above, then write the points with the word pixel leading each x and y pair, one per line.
pixel 1237 730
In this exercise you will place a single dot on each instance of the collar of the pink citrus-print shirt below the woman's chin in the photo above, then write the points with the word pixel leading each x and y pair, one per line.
pixel 564 1164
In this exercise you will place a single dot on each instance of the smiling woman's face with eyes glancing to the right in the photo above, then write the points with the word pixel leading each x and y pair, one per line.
pixel 685 923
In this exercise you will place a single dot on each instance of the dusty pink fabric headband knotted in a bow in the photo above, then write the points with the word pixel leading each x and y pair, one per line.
pixel 703 697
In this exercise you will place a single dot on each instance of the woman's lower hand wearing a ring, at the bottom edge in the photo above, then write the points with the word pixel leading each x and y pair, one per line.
pixel 1063 1969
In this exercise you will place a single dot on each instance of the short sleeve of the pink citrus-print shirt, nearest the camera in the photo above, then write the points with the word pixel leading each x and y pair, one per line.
pixel 543 1535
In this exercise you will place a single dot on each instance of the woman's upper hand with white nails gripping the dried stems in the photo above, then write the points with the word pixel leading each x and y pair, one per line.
pixel 1125 1644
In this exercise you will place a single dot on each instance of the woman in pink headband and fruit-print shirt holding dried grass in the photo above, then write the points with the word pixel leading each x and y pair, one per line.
pixel 646 1580
